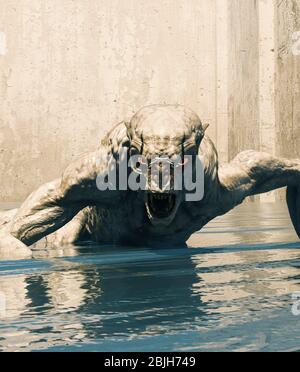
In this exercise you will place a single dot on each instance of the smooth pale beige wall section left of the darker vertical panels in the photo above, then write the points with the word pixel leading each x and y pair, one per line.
pixel 71 69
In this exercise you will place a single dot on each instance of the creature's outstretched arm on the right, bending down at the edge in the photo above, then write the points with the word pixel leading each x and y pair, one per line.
pixel 252 173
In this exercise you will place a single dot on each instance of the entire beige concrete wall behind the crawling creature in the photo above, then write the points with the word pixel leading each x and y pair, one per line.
pixel 69 70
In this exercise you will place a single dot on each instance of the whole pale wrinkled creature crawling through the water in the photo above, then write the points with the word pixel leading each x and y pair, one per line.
pixel 72 209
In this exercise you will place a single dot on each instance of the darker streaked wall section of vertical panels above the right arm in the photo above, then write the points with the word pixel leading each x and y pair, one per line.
pixel 264 78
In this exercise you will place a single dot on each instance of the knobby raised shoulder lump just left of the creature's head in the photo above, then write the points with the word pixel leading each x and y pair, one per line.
pixel 117 137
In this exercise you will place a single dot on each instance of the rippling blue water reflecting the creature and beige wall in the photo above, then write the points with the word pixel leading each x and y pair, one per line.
pixel 231 290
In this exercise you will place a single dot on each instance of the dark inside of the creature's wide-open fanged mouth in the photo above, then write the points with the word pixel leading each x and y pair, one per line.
pixel 161 205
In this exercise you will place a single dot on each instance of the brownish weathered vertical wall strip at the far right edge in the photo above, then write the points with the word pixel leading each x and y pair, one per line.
pixel 288 77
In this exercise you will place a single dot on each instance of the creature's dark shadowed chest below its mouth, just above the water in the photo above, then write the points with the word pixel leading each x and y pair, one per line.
pixel 128 224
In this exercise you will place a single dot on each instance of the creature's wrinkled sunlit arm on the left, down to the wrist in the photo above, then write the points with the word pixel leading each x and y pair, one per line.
pixel 58 202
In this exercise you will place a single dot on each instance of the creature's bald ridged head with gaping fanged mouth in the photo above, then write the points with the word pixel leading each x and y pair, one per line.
pixel 164 132
